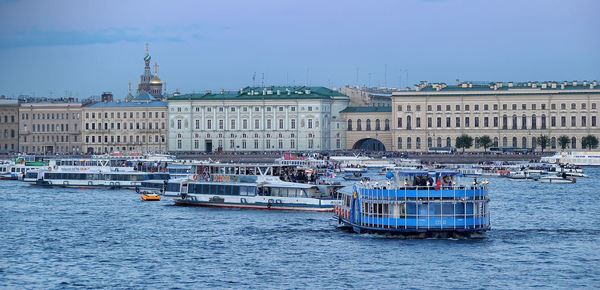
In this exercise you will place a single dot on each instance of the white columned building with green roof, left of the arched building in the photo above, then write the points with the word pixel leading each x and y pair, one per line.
pixel 258 119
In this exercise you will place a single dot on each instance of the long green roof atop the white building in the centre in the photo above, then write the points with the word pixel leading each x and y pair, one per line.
pixel 266 93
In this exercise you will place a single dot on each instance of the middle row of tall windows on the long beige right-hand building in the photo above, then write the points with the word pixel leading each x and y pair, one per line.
pixel 525 122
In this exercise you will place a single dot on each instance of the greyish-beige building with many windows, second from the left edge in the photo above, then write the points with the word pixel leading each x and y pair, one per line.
pixel 50 127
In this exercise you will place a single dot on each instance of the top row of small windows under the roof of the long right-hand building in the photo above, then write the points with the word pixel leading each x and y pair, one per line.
pixel 486 107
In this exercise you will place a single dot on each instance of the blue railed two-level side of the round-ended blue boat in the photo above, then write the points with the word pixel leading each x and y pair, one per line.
pixel 457 208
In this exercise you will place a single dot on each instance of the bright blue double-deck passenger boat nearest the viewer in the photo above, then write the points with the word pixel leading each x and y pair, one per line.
pixel 417 204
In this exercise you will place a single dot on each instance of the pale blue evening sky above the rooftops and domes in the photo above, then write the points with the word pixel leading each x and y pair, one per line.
pixel 82 48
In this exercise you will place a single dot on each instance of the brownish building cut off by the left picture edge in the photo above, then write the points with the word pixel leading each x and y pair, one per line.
pixel 9 126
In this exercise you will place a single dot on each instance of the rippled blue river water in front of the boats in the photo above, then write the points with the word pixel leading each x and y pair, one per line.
pixel 544 235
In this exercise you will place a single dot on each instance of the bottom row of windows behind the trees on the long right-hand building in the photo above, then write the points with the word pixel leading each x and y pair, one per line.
pixel 514 142
